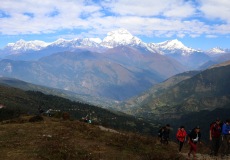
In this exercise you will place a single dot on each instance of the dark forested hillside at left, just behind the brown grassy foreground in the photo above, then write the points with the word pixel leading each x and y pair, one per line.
pixel 16 102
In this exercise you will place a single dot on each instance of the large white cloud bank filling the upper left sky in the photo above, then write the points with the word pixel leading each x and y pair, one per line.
pixel 68 15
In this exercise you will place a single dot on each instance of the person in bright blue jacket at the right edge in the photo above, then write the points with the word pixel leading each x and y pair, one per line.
pixel 225 148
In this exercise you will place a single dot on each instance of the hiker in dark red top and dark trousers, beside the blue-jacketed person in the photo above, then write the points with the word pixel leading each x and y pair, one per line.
pixel 215 136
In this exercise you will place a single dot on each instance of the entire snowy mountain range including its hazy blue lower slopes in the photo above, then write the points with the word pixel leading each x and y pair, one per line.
pixel 189 57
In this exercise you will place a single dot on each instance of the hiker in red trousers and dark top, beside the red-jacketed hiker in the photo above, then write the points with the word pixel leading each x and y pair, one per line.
pixel 193 138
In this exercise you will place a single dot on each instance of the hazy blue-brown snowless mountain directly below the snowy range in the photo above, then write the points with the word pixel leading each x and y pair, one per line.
pixel 116 74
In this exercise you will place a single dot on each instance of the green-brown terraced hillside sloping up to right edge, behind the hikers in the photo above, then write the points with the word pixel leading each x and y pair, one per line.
pixel 206 90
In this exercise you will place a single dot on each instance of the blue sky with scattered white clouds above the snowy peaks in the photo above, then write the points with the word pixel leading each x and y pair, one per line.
pixel 199 24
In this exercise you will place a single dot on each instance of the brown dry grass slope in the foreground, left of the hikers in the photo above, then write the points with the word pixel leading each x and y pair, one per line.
pixel 55 139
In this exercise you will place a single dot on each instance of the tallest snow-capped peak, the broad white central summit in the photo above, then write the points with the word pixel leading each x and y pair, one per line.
pixel 120 37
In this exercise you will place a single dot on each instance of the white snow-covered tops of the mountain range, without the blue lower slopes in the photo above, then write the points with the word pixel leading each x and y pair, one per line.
pixel 120 37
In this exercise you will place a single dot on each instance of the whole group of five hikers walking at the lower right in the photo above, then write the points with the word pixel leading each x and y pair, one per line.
pixel 219 136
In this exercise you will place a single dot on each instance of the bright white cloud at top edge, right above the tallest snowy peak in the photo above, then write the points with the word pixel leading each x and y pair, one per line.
pixel 168 8
